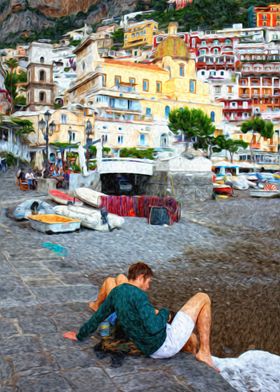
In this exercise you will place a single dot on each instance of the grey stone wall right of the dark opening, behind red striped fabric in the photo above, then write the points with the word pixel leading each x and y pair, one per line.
pixel 184 186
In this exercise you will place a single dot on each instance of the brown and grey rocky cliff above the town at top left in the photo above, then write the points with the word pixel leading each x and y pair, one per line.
pixel 24 17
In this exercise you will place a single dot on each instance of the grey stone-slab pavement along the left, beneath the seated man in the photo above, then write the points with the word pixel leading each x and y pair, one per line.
pixel 41 296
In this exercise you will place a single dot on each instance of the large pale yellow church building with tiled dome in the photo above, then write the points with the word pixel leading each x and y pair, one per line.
pixel 132 101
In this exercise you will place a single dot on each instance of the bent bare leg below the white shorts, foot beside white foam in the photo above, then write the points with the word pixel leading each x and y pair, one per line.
pixel 199 309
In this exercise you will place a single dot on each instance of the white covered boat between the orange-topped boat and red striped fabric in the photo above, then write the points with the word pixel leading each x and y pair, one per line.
pixel 90 218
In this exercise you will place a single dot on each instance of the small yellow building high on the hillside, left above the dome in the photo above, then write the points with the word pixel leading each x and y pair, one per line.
pixel 140 34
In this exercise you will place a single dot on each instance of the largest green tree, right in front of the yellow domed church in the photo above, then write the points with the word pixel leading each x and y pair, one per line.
pixel 194 123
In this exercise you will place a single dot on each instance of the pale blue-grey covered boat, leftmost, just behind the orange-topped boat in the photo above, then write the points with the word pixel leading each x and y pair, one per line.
pixel 23 210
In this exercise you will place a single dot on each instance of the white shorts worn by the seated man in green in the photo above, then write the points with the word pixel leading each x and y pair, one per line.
pixel 177 335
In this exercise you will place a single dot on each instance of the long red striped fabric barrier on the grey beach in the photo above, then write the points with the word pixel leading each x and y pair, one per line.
pixel 140 205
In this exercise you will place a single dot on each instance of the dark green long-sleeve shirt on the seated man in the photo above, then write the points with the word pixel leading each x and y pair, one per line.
pixel 136 316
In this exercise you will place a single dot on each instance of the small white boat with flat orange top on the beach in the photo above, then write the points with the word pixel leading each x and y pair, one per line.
pixel 53 223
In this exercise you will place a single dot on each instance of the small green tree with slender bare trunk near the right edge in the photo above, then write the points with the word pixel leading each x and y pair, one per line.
pixel 257 126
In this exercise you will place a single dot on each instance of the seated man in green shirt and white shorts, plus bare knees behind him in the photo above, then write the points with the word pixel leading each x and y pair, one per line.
pixel 146 326
